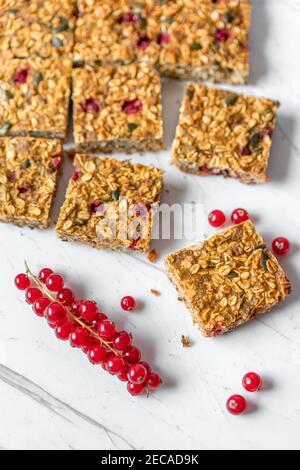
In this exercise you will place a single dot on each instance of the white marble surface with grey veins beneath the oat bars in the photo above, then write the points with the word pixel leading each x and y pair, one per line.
pixel 52 398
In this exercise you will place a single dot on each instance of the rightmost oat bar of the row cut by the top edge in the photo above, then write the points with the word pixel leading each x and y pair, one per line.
pixel 204 39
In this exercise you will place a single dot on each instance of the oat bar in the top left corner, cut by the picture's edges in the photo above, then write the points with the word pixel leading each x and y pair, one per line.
pixel 43 28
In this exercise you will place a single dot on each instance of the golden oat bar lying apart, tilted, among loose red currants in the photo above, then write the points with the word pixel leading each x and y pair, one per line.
pixel 228 280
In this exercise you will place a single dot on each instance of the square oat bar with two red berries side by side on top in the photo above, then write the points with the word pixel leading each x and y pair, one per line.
pixel 117 109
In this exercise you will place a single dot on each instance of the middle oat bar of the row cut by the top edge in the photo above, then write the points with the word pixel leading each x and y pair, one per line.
pixel 116 32
